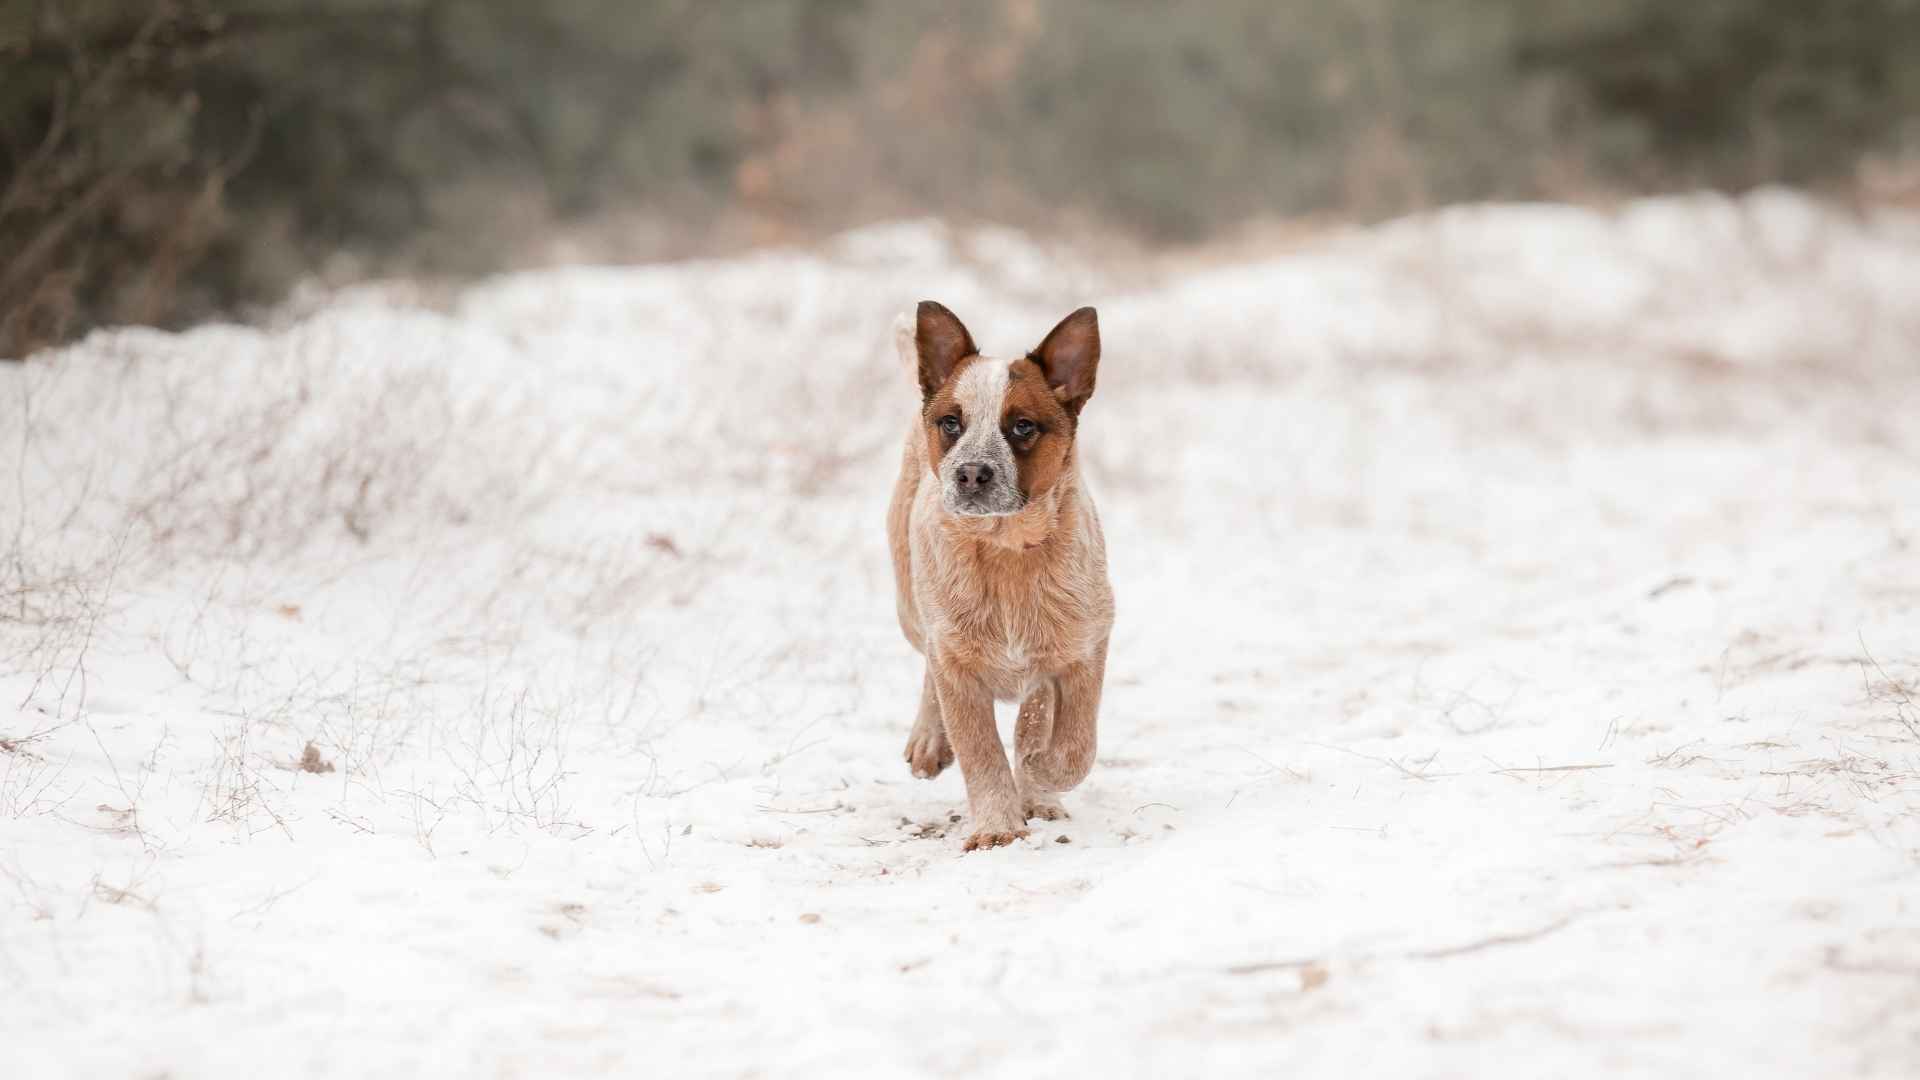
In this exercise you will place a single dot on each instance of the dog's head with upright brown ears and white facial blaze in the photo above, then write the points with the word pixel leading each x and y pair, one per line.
pixel 999 433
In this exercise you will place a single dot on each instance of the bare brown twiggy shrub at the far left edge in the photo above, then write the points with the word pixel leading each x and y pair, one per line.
pixel 105 209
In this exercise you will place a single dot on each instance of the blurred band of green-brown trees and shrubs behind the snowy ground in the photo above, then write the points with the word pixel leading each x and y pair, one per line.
pixel 174 160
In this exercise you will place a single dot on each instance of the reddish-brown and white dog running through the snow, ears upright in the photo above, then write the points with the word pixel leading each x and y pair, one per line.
pixel 999 566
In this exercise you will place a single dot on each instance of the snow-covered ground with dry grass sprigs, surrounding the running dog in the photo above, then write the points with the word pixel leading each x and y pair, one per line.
pixel 1518 672
